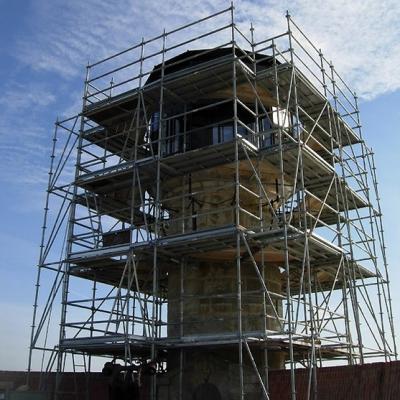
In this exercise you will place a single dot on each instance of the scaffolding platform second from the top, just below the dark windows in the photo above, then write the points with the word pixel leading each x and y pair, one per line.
pixel 120 175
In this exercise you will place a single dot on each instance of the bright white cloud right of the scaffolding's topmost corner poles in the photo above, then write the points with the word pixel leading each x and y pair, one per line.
pixel 361 37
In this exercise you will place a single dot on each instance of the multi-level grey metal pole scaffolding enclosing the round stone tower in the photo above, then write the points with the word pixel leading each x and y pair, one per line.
pixel 125 215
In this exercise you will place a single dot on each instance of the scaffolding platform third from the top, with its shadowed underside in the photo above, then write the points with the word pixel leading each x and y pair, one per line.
pixel 325 258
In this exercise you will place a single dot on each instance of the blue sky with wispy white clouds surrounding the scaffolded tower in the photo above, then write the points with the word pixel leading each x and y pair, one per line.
pixel 45 45
